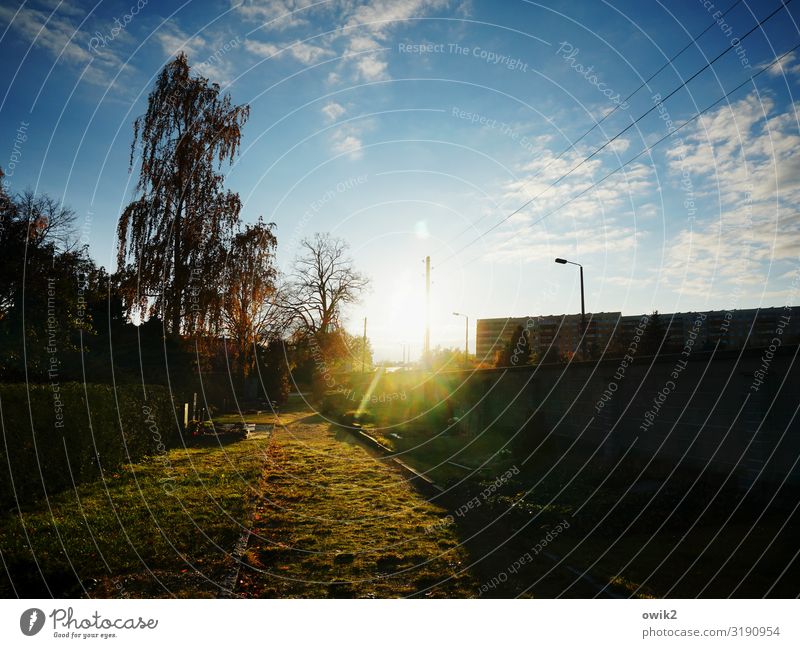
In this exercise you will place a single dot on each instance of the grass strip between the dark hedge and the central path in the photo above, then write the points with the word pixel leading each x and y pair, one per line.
pixel 161 527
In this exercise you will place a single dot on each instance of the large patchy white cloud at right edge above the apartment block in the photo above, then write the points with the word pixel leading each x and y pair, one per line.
pixel 744 159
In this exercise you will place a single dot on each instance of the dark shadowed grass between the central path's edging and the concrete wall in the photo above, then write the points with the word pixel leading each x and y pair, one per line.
pixel 639 541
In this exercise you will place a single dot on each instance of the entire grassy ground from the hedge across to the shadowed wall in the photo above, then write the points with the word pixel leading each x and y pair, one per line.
pixel 329 519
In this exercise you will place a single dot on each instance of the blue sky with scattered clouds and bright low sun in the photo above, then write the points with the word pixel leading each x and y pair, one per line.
pixel 419 127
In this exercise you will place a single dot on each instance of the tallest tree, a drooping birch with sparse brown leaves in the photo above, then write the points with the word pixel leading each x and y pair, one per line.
pixel 171 239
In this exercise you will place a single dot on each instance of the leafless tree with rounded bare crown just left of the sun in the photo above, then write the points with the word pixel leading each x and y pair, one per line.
pixel 323 282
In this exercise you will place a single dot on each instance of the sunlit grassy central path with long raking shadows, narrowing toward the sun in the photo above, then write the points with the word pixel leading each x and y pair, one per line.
pixel 338 522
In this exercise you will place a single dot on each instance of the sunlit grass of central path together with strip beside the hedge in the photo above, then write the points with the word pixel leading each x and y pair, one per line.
pixel 327 519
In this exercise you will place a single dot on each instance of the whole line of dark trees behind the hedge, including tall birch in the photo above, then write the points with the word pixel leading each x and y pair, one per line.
pixel 196 291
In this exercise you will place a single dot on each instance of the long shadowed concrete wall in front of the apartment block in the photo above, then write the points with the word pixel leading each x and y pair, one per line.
pixel 732 412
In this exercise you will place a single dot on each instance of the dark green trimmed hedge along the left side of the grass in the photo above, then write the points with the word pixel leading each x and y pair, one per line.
pixel 54 434
